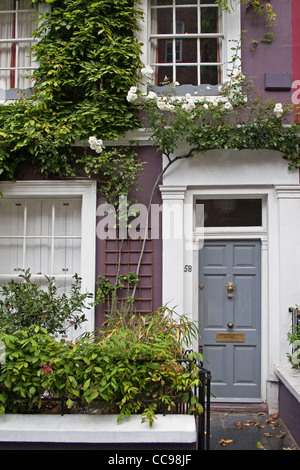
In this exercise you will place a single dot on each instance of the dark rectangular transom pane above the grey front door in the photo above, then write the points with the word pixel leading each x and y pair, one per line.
pixel 231 212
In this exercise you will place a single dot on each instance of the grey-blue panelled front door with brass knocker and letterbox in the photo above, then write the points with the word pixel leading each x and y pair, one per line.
pixel 230 317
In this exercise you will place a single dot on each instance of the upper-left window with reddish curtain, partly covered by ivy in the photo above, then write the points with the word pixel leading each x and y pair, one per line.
pixel 17 22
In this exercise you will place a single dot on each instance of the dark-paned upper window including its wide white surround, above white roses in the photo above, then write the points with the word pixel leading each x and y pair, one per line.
pixel 189 41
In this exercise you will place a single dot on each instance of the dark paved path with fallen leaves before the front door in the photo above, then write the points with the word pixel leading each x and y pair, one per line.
pixel 248 429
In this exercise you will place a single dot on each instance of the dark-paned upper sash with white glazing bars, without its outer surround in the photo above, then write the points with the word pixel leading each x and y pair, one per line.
pixel 186 41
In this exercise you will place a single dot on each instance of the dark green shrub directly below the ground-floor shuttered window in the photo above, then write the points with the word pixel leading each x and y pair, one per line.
pixel 26 303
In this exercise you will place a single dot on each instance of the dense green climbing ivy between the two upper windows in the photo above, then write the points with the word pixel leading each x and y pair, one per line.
pixel 87 58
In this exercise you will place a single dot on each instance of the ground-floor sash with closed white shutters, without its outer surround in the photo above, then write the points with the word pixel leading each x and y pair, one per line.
pixel 41 234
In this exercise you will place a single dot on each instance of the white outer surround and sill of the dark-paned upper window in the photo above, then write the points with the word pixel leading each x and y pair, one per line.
pixel 231 30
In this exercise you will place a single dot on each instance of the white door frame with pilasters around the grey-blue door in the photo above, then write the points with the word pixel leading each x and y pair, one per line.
pixel 180 286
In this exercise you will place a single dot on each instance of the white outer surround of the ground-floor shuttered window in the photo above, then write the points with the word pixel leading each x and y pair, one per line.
pixel 87 190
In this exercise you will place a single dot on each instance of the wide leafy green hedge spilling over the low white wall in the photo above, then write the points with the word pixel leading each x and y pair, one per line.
pixel 125 368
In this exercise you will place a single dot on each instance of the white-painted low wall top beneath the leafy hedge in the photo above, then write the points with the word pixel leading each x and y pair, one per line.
pixel 91 429
